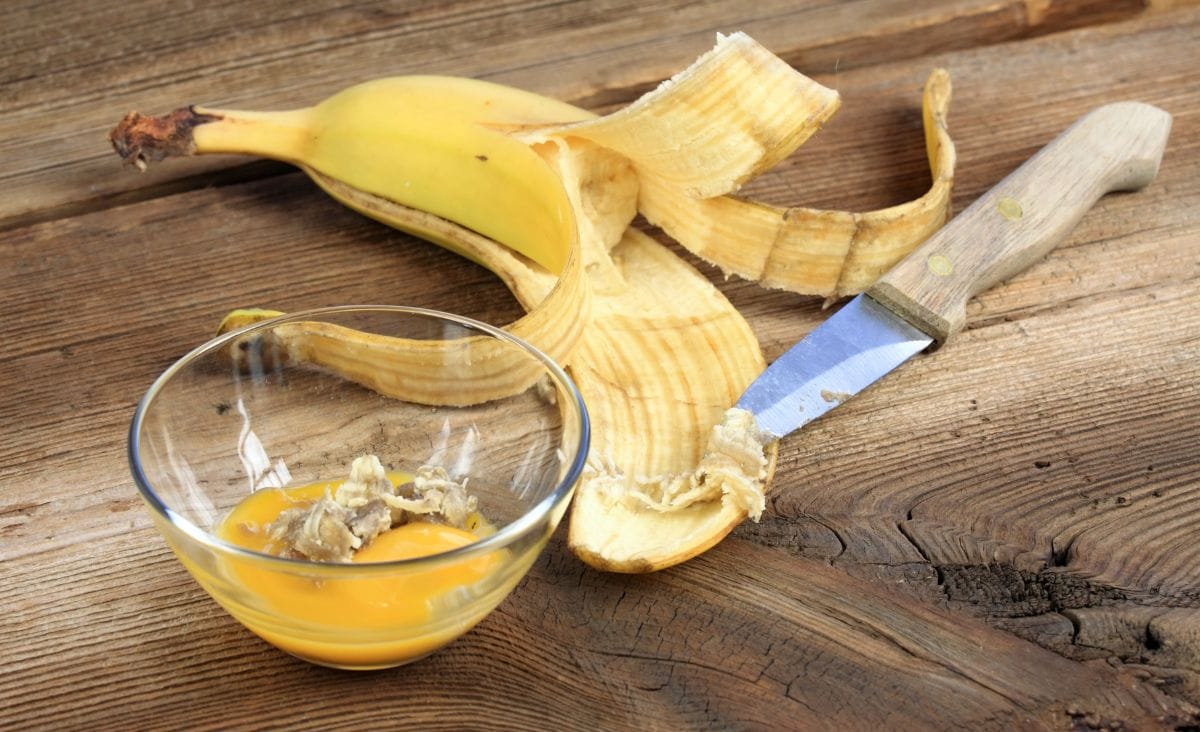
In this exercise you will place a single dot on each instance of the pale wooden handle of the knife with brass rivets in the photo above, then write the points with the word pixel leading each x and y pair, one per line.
pixel 1113 148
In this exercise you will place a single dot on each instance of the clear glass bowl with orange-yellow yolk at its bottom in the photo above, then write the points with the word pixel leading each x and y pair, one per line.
pixel 293 401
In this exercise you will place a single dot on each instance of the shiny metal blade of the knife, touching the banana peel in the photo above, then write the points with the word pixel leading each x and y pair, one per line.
pixel 845 355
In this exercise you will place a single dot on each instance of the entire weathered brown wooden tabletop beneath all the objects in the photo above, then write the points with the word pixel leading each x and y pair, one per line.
pixel 1004 535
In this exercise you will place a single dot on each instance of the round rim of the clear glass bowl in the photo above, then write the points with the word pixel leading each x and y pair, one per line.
pixel 506 536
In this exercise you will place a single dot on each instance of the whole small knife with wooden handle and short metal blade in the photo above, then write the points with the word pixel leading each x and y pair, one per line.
pixel 922 302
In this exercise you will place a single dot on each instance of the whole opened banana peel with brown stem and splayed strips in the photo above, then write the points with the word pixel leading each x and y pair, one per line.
pixel 544 195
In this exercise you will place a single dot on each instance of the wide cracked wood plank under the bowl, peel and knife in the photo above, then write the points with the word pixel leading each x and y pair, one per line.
pixel 987 479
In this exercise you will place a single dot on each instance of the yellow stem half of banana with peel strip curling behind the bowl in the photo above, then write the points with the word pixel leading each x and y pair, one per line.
pixel 419 154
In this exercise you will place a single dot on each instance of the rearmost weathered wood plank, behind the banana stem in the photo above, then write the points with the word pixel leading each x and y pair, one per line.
pixel 70 74
